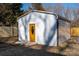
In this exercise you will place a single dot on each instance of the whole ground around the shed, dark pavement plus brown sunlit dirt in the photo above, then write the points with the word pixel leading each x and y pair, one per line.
pixel 68 48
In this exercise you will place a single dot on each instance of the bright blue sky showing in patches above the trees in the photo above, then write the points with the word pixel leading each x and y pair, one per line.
pixel 65 5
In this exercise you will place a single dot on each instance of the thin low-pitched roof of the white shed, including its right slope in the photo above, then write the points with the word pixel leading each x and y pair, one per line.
pixel 58 16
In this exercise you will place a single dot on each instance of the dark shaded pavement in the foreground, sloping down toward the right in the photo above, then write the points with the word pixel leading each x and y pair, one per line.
pixel 16 50
